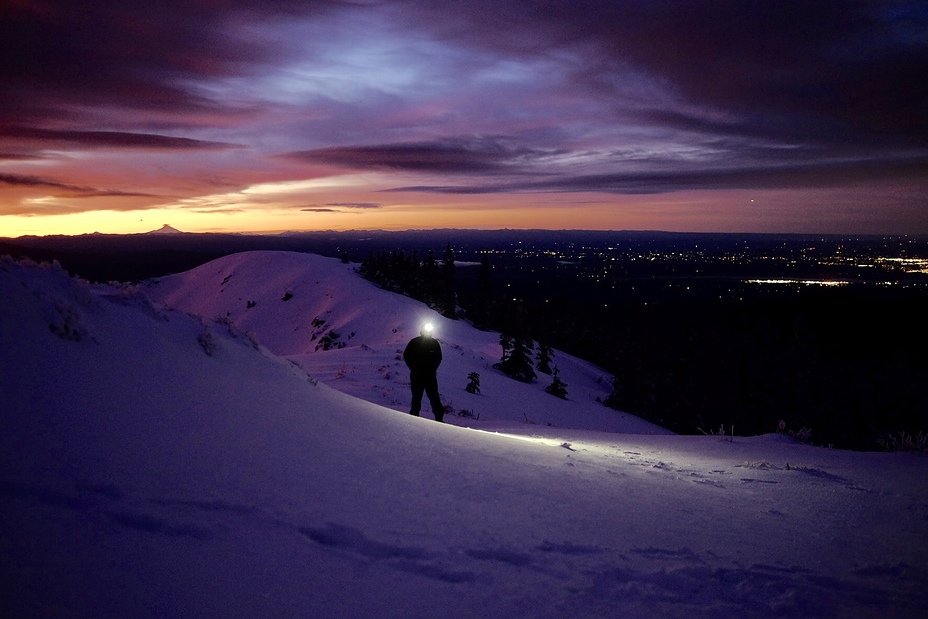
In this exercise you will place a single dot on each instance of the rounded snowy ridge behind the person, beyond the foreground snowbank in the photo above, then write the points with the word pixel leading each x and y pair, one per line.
pixel 292 303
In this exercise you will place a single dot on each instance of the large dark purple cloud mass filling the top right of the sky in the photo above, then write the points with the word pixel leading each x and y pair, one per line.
pixel 856 67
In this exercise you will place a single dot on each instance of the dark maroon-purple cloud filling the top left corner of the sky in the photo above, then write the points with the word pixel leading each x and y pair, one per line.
pixel 130 53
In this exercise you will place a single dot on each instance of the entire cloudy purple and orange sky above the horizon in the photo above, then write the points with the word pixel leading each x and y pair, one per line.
pixel 273 115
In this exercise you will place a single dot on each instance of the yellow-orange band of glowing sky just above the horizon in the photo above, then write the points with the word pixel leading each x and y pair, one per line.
pixel 270 209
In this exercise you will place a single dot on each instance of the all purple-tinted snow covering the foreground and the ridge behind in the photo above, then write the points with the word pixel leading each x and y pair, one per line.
pixel 158 462
